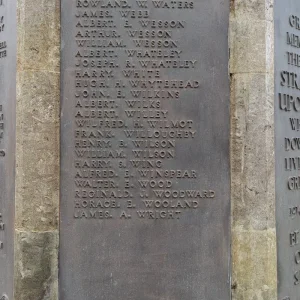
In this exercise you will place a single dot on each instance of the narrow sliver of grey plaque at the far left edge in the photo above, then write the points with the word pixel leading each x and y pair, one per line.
pixel 8 37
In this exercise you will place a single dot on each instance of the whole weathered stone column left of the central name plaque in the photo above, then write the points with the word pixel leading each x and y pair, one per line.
pixel 37 161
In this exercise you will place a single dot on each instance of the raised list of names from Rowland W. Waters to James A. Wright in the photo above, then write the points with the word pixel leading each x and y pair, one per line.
pixel 124 88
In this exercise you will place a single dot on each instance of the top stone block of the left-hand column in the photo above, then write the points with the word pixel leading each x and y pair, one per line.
pixel 38 35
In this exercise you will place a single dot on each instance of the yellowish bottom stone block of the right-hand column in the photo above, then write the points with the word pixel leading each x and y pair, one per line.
pixel 253 267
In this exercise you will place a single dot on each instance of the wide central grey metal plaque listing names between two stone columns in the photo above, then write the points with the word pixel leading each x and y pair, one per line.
pixel 144 150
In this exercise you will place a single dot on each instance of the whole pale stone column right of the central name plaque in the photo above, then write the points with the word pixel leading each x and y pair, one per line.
pixel 254 262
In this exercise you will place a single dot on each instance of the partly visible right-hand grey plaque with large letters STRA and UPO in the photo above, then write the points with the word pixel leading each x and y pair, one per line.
pixel 287 146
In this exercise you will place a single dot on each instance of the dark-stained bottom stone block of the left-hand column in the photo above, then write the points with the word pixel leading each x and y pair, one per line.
pixel 36 259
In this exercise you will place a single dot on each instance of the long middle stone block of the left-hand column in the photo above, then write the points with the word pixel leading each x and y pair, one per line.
pixel 37 182
